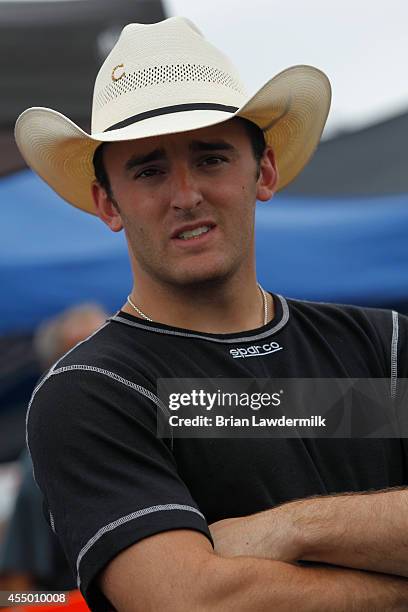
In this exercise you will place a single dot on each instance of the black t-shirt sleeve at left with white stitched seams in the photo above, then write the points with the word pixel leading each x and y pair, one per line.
pixel 108 480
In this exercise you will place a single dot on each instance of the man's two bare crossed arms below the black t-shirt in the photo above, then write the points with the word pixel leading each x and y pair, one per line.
pixel 254 565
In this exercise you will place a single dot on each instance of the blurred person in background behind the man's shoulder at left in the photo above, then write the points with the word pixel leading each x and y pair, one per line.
pixel 31 557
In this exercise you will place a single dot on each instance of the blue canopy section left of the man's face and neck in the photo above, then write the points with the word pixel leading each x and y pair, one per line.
pixel 53 256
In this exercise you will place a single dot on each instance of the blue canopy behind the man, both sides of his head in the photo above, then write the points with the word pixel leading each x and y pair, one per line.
pixel 352 250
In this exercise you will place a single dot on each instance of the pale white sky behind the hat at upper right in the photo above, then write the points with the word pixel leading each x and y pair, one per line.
pixel 362 45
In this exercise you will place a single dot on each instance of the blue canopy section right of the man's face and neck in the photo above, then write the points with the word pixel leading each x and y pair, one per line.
pixel 345 250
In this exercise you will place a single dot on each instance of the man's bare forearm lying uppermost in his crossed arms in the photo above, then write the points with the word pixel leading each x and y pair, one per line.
pixel 361 531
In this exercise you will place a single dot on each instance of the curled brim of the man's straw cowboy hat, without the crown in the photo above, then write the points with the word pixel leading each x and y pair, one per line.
pixel 291 109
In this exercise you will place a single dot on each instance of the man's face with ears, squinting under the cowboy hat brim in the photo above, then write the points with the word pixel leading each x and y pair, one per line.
pixel 186 202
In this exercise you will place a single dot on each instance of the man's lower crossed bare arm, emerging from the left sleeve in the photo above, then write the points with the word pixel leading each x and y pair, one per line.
pixel 178 570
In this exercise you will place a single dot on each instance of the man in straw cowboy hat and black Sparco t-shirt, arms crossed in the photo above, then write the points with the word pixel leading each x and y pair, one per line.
pixel 179 162
